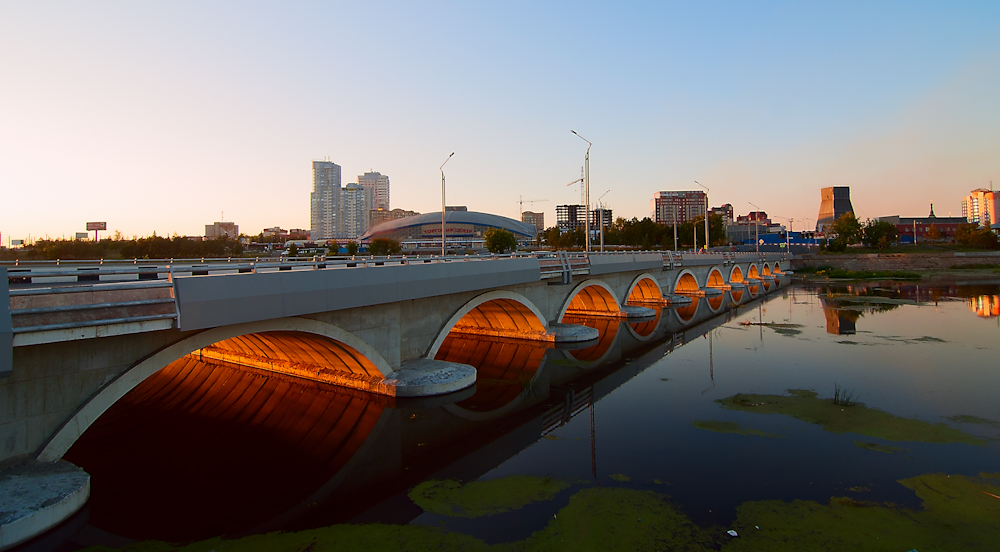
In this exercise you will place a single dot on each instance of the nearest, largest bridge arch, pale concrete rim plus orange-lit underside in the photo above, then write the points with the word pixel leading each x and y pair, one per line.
pixel 301 345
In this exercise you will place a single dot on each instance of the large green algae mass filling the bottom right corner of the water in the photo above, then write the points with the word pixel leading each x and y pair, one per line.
pixel 958 514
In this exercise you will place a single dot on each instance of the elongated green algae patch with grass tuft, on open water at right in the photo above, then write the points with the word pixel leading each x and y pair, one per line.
pixel 805 405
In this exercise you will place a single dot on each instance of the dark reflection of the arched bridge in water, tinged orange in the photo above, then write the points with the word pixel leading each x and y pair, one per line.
pixel 207 447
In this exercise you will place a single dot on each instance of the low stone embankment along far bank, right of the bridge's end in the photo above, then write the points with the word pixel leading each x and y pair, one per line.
pixel 897 261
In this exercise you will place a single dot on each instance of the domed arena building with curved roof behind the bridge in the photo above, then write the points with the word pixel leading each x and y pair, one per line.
pixel 464 230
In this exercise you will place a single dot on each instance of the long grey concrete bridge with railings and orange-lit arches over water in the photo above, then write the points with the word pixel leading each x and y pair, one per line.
pixel 77 337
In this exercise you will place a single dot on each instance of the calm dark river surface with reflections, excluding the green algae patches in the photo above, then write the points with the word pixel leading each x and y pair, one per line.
pixel 207 450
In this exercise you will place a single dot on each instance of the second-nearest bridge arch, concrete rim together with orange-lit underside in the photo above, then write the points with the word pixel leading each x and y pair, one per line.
pixel 495 314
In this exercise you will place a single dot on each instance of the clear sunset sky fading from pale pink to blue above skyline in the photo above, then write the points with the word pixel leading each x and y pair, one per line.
pixel 166 116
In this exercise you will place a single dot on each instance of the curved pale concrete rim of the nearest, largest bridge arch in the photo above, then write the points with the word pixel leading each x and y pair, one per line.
pixel 368 359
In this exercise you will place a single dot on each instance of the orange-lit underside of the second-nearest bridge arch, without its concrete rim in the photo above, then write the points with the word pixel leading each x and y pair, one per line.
pixel 502 318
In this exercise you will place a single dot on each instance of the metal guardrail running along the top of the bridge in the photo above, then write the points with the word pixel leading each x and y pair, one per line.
pixel 32 282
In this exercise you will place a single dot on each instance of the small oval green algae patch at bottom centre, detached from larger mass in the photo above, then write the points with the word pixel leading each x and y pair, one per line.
pixel 484 498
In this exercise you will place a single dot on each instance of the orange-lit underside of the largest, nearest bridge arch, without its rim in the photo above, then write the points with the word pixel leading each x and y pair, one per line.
pixel 299 354
